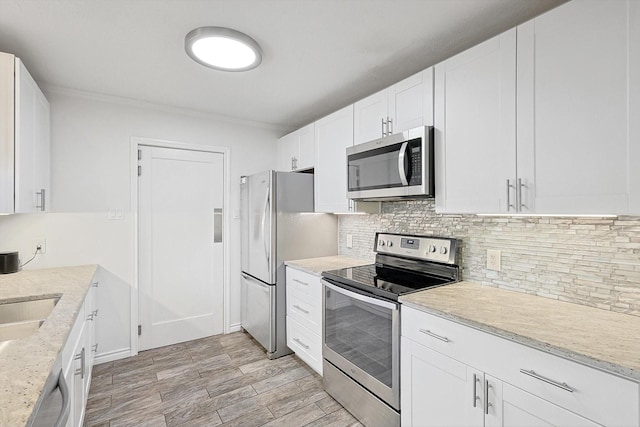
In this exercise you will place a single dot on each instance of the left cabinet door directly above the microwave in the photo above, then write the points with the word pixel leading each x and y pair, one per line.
pixel 368 117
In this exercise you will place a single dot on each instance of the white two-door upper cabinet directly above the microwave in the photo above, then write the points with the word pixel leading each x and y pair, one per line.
pixel 403 106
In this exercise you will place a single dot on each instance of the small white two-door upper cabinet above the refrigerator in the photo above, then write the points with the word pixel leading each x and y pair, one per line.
pixel 296 151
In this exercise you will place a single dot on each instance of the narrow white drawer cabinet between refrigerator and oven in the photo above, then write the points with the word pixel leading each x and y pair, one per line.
pixel 304 316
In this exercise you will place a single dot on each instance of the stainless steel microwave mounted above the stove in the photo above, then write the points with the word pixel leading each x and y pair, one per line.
pixel 392 167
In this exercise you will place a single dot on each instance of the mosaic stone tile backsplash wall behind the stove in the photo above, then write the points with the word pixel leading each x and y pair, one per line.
pixel 590 261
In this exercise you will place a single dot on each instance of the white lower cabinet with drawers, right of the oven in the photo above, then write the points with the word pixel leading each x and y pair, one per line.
pixel 454 375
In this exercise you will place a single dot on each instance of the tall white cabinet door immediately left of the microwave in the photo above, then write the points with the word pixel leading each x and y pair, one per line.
pixel 334 134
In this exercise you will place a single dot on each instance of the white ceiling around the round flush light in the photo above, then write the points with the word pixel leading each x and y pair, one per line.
pixel 318 55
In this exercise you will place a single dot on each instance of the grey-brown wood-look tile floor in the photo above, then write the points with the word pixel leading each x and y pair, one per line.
pixel 223 380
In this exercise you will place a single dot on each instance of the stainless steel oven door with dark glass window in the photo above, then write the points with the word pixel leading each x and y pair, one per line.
pixel 361 336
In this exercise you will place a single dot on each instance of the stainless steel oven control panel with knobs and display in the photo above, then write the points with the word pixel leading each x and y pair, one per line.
pixel 429 248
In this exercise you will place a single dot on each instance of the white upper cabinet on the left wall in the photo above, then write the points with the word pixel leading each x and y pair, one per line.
pixel 24 140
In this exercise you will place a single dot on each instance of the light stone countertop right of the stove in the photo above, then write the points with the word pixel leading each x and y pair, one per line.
pixel 598 338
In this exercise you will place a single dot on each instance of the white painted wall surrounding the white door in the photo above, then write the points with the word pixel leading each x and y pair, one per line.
pixel 90 148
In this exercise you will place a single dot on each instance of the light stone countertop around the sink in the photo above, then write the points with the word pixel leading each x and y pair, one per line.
pixel 26 363
